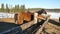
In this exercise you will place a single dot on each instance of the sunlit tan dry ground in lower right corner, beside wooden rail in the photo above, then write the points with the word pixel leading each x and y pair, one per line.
pixel 51 29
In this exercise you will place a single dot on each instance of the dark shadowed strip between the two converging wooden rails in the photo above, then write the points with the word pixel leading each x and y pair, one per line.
pixel 33 28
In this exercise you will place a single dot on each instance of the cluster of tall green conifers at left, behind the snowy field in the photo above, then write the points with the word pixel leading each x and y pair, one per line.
pixel 14 9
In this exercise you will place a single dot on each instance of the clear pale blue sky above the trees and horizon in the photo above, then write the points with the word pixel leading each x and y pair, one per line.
pixel 33 3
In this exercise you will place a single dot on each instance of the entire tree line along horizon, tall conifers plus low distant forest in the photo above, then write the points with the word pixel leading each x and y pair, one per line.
pixel 18 8
